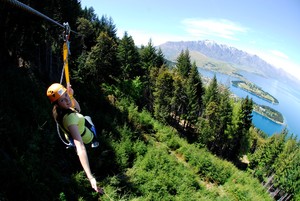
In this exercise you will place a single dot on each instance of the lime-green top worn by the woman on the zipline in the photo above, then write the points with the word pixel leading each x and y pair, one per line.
pixel 78 119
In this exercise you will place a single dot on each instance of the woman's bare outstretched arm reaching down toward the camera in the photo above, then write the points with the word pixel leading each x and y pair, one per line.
pixel 83 157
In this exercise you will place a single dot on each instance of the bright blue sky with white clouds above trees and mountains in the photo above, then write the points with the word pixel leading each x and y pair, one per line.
pixel 267 28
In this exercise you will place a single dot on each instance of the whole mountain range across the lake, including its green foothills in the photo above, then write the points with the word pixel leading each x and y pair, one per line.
pixel 223 58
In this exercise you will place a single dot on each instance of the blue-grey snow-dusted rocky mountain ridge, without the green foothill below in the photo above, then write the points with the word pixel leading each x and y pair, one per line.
pixel 224 53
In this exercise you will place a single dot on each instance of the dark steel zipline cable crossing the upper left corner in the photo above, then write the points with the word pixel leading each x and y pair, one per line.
pixel 34 12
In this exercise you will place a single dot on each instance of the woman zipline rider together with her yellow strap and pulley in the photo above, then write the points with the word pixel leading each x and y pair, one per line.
pixel 78 130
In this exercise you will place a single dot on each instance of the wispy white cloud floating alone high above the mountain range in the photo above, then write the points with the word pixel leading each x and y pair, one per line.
pixel 207 28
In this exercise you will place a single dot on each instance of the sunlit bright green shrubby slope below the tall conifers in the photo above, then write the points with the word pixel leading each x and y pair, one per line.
pixel 171 169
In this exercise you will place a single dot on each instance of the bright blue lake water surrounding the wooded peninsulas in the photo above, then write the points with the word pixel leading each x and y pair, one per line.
pixel 288 97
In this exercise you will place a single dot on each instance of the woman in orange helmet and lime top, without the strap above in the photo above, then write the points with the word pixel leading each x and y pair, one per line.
pixel 66 113
